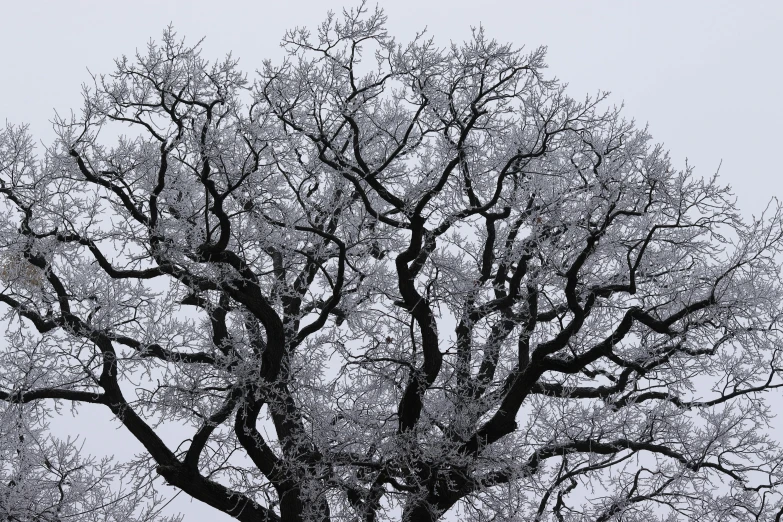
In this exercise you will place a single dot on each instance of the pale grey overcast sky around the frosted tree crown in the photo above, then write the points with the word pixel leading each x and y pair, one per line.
pixel 705 75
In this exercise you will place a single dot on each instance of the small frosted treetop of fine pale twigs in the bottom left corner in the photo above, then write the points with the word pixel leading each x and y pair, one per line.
pixel 43 479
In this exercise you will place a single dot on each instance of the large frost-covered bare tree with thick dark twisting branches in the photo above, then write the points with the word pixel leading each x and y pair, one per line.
pixel 389 281
